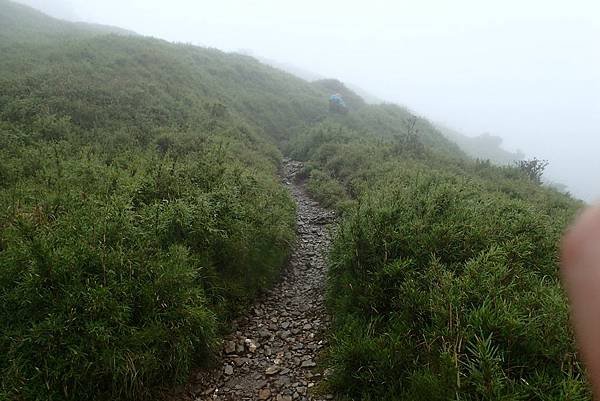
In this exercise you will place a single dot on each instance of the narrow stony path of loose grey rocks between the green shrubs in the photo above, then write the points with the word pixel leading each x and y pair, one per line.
pixel 271 355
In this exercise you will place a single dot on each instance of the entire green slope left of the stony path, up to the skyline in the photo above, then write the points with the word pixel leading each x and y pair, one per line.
pixel 142 207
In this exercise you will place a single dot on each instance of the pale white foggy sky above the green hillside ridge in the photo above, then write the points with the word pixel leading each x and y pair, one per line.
pixel 526 70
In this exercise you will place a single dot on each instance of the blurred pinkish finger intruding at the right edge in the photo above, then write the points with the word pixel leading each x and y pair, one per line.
pixel 580 266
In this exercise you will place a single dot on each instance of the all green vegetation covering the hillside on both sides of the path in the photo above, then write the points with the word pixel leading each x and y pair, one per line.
pixel 143 210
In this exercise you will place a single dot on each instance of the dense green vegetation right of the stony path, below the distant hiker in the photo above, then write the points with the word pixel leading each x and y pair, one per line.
pixel 443 275
